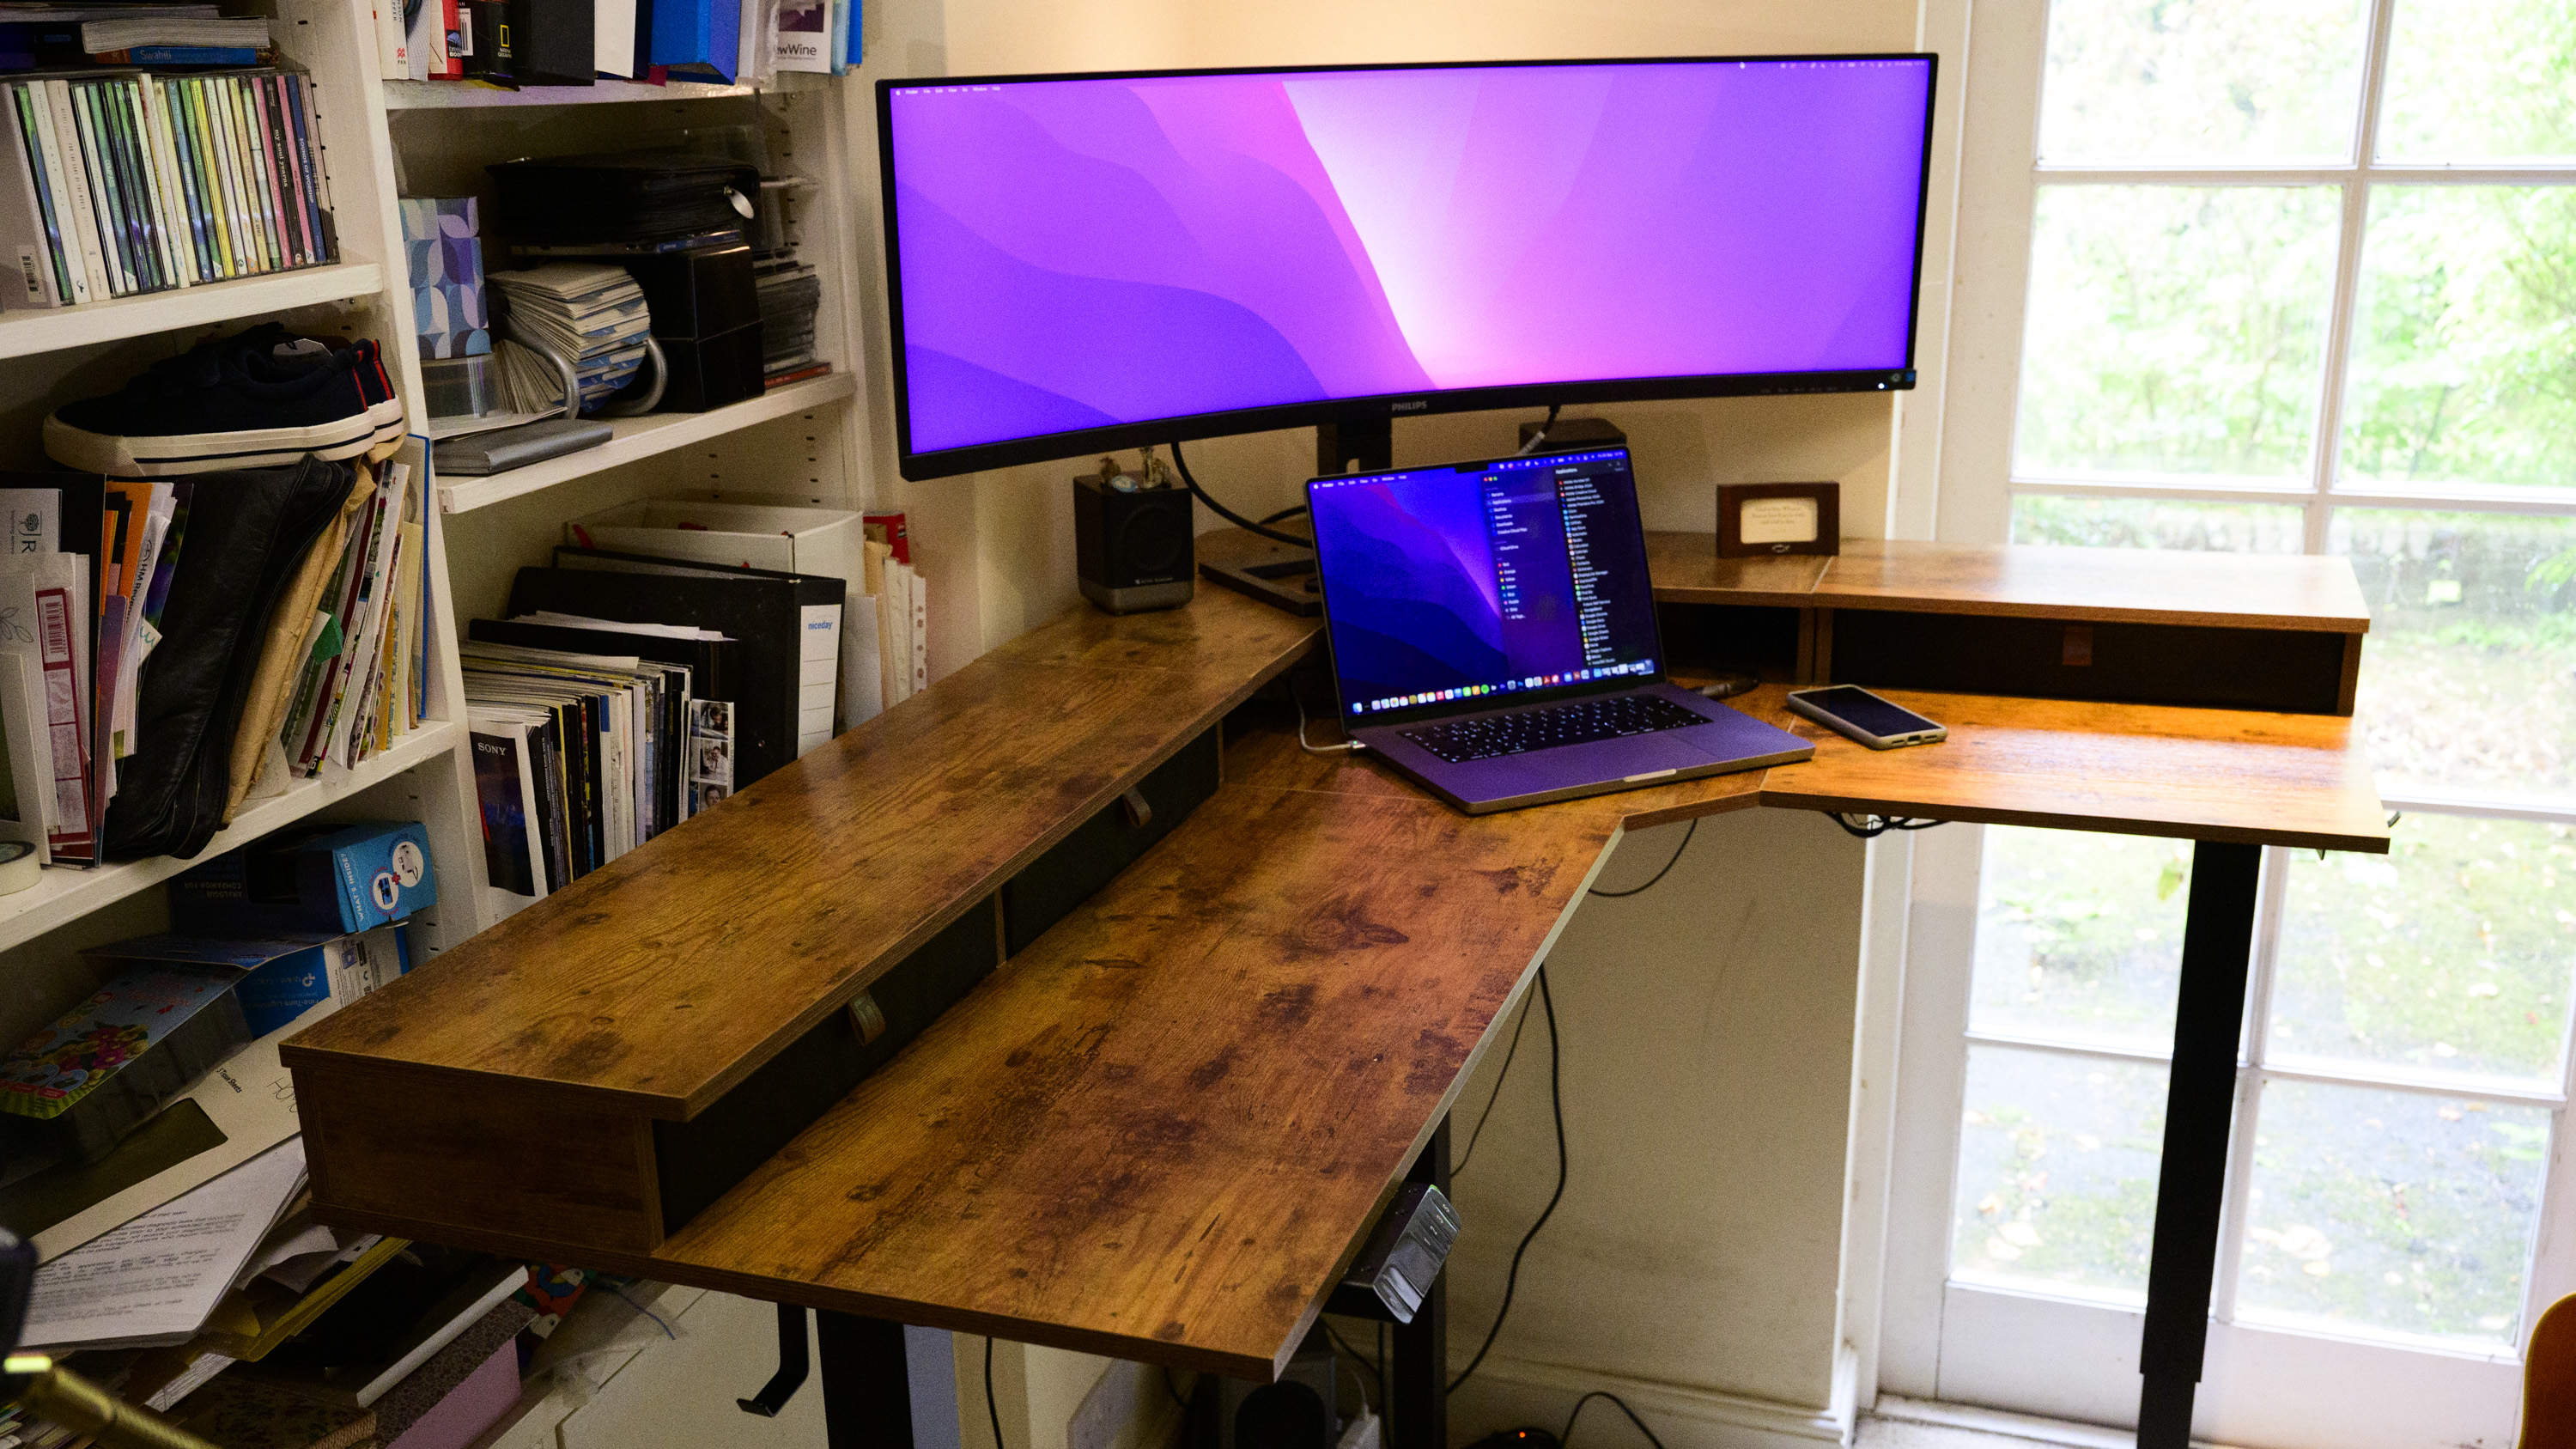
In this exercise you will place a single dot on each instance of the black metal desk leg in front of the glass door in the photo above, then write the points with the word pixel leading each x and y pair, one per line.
pixel 2199 1107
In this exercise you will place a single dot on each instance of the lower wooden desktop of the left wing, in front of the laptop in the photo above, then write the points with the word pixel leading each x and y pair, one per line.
pixel 1160 1131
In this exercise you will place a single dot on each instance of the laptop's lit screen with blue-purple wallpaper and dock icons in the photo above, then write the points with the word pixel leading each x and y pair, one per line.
pixel 1493 579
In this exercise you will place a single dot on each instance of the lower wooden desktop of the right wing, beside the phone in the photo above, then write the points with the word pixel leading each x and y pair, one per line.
pixel 2199 775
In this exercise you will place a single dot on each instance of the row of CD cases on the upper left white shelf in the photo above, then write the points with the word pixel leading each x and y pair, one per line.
pixel 128 184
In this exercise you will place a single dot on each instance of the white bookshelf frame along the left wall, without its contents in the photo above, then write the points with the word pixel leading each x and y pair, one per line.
pixel 385 141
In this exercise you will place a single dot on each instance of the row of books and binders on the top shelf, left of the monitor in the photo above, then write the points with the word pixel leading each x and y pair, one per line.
pixel 578 43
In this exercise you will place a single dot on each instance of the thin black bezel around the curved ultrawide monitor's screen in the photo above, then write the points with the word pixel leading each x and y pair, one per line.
pixel 1194 427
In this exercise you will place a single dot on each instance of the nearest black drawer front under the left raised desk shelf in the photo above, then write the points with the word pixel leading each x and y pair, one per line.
pixel 702 1159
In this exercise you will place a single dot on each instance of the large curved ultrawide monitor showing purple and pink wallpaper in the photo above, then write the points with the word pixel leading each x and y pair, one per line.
pixel 1096 262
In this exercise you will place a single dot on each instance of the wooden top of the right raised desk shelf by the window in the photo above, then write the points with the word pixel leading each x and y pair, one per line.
pixel 2150 587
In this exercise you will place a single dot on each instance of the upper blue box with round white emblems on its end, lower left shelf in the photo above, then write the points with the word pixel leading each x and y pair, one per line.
pixel 331 878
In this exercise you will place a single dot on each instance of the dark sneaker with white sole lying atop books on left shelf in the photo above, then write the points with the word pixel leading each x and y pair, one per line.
pixel 251 401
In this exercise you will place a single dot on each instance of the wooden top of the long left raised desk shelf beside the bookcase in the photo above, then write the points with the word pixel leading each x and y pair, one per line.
pixel 679 968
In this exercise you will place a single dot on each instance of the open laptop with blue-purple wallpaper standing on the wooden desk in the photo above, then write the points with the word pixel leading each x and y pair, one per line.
pixel 1493 636
